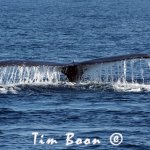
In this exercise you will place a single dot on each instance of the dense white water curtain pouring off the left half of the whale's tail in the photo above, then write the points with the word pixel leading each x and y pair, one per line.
pixel 16 75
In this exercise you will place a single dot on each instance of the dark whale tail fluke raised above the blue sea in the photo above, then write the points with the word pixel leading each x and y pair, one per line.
pixel 75 70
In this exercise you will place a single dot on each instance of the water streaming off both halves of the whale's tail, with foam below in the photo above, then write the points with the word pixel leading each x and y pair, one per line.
pixel 126 75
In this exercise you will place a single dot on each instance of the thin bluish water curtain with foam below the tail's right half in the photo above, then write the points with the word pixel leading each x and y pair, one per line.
pixel 126 75
